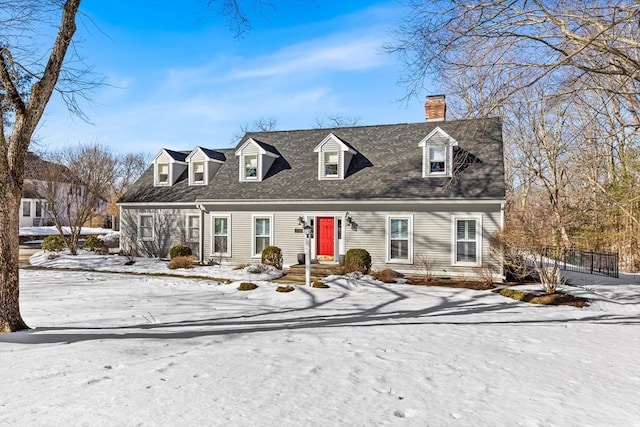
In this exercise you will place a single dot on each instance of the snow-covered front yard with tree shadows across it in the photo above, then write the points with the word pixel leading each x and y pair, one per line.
pixel 140 350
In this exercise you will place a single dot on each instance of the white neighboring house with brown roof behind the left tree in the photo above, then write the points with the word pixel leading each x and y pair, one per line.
pixel 34 208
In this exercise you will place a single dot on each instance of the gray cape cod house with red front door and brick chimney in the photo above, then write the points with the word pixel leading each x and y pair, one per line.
pixel 413 195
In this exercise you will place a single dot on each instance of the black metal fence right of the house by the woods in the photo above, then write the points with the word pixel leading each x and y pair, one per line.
pixel 590 262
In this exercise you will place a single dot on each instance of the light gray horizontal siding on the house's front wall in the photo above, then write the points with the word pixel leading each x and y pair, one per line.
pixel 432 237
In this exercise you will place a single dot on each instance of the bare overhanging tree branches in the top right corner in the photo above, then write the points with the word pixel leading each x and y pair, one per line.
pixel 528 41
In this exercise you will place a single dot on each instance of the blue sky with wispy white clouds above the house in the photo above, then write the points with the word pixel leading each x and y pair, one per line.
pixel 177 77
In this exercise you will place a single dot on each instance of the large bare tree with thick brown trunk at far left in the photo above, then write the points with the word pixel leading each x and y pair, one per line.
pixel 23 111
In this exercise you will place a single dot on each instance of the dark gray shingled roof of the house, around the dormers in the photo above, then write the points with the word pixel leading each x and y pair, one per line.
pixel 387 166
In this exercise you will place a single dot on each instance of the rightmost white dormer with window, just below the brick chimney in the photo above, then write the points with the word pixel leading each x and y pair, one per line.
pixel 437 154
